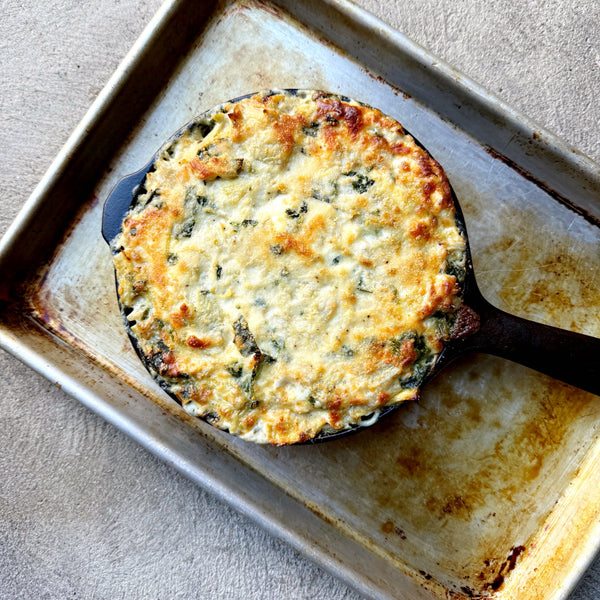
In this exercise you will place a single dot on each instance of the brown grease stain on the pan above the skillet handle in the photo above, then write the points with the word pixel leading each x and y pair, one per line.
pixel 536 263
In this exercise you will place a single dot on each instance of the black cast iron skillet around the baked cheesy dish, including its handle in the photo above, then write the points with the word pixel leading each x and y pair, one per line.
pixel 571 357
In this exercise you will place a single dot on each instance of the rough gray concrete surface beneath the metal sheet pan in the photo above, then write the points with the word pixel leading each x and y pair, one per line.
pixel 84 511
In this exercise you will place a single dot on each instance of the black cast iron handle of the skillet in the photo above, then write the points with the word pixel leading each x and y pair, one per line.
pixel 565 355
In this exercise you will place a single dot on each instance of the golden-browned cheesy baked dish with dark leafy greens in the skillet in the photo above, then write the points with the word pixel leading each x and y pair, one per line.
pixel 291 265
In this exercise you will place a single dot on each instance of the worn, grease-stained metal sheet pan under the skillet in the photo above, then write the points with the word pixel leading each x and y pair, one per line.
pixel 486 486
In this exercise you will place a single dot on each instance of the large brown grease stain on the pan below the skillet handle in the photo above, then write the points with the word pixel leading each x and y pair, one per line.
pixel 471 462
